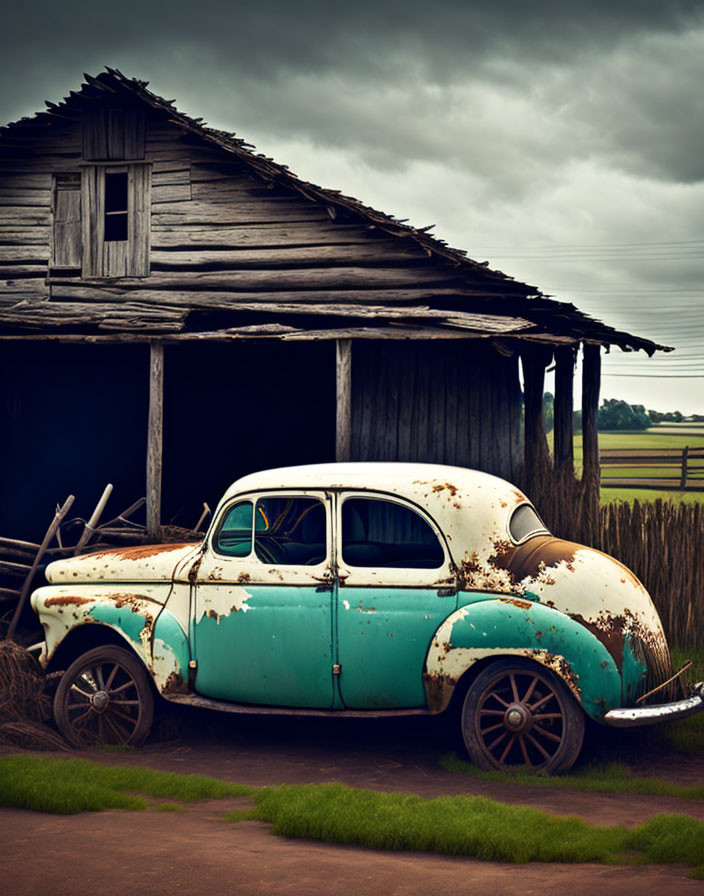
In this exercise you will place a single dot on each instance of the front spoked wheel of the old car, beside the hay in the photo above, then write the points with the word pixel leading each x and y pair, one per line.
pixel 104 697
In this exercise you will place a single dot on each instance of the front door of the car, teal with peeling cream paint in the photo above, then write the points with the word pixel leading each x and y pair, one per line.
pixel 262 609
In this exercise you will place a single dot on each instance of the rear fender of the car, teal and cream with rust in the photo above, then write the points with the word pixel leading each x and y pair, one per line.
pixel 510 626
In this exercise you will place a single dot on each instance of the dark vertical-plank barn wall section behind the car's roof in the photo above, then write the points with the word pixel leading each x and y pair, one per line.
pixel 455 403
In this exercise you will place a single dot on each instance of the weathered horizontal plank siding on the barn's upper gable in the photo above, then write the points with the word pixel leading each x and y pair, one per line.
pixel 217 233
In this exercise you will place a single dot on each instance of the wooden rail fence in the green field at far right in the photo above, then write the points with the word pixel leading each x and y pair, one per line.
pixel 672 469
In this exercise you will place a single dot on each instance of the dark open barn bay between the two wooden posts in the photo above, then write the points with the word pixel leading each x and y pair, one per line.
pixel 234 408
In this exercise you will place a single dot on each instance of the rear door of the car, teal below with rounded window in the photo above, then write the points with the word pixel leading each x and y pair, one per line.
pixel 394 589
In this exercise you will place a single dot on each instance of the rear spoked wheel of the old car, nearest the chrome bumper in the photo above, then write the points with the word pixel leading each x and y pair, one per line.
pixel 518 715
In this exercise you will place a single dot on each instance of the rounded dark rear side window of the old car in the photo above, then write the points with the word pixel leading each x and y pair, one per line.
pixel 386 534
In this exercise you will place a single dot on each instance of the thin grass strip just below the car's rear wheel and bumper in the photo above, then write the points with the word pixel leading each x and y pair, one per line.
pixel 612 778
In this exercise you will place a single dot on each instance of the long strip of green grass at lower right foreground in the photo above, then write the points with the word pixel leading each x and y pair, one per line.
pixel 467 826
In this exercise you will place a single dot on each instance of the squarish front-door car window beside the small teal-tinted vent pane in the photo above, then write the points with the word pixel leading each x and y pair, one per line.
pixel 290 531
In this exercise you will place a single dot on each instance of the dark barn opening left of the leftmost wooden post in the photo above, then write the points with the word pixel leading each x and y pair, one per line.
pixel 74 418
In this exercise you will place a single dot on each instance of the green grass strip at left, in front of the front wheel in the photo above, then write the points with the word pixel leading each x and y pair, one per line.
pixel 68 786
